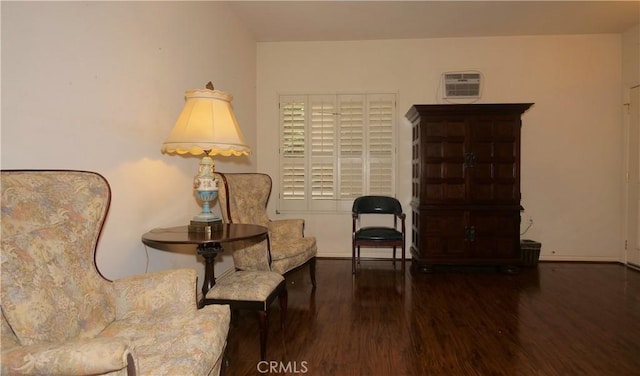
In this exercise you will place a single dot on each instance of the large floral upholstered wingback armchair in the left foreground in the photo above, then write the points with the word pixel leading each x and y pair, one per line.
pixel 61 317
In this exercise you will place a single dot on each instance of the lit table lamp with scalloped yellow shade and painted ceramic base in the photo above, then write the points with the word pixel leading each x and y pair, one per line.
pixel 206 126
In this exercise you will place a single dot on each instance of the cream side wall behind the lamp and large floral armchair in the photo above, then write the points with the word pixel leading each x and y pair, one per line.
pixel 98 85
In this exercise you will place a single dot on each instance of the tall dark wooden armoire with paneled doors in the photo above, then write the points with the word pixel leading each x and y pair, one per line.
pixel 466 185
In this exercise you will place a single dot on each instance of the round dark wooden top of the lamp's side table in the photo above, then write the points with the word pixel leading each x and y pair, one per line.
pixel 181 234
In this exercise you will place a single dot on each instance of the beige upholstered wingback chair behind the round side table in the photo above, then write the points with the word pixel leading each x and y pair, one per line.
pixel 243 198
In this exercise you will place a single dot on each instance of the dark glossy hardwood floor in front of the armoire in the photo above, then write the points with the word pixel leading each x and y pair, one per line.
pixel 556 319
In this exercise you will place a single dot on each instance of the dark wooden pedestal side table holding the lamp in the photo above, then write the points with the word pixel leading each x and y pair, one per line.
pixel 208 244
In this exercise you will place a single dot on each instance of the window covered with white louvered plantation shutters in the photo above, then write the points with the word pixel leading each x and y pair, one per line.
pixel 335 148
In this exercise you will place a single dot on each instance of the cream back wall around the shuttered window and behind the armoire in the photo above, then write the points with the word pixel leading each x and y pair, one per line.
pixel 571 158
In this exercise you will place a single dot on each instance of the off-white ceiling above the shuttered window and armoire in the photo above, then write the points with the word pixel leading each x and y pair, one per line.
pixel 277 21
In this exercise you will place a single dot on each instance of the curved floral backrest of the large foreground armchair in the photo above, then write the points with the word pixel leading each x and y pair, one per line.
pixel 51 222
